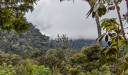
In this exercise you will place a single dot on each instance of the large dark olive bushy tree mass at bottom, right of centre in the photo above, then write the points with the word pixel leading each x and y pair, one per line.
pixel 86 62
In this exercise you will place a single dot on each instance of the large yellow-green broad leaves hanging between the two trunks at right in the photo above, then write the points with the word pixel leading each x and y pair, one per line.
pixel 113 35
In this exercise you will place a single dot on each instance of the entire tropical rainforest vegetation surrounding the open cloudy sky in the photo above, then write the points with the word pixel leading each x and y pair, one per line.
pixel 24 50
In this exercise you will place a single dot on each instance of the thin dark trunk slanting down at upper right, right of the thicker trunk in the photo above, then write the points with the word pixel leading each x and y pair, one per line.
pixel 119 16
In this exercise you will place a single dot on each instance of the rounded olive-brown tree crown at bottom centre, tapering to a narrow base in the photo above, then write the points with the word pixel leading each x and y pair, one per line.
pixel 52 59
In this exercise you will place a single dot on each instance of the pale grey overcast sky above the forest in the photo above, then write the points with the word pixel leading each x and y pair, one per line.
pixel 53 17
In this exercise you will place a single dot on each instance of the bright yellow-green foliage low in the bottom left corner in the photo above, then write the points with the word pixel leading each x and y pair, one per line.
pixel 27 67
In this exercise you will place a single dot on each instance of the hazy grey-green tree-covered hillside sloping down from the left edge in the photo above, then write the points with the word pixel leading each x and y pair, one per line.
pixel 18 43
